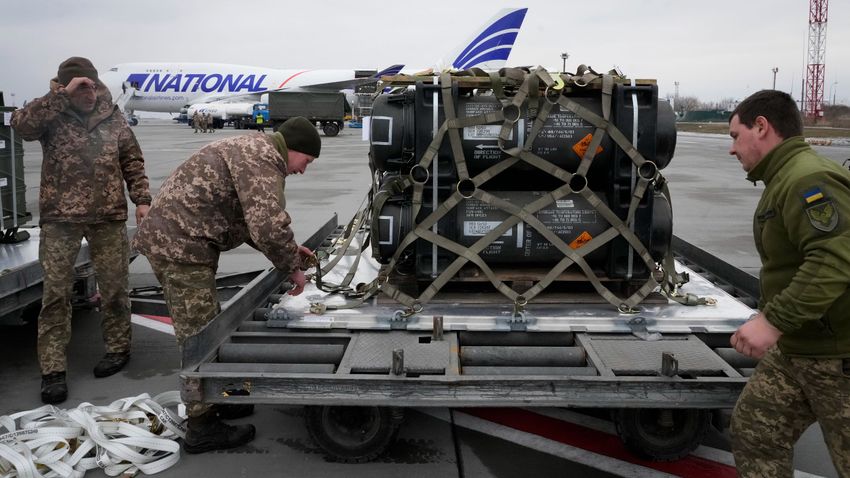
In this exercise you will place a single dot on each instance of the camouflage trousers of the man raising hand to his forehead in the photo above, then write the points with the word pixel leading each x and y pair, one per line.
pixel 57 252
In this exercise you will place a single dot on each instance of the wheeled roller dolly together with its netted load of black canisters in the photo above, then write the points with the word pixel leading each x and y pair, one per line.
pixel 399 315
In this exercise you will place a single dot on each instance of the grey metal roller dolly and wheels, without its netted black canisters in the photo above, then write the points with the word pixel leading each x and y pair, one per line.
pixel 666 372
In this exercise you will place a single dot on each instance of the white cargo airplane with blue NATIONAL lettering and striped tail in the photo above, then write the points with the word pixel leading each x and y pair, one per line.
pixel 176 87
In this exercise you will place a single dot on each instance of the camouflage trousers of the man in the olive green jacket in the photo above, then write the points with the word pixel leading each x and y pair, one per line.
pixel 783 397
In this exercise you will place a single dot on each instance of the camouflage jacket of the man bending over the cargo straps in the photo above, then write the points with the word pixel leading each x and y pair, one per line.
pixel 228 193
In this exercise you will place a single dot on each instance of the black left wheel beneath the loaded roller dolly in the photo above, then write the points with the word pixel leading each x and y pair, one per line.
pixel 353 434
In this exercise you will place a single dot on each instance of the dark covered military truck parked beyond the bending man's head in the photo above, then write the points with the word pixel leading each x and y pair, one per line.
pixel 322 108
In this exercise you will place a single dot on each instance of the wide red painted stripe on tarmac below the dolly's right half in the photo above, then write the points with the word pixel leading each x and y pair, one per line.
pixel 597 442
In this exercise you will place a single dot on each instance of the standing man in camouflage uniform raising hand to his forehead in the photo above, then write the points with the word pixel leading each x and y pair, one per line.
pixel 89 153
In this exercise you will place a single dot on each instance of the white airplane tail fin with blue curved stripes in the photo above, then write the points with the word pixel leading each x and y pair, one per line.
pixel 489 47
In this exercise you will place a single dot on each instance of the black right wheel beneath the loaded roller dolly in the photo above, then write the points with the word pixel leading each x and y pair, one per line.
pixel 662 434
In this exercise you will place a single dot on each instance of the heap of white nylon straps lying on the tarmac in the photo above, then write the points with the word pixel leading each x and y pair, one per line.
pixel 49 442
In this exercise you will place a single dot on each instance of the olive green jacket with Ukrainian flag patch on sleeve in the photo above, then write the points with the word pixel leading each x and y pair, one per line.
pixel 802 233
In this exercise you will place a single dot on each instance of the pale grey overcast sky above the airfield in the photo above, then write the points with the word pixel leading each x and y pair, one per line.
pixel 715 49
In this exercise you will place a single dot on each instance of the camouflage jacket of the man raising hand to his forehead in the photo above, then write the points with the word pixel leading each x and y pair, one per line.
pixel 87 160
